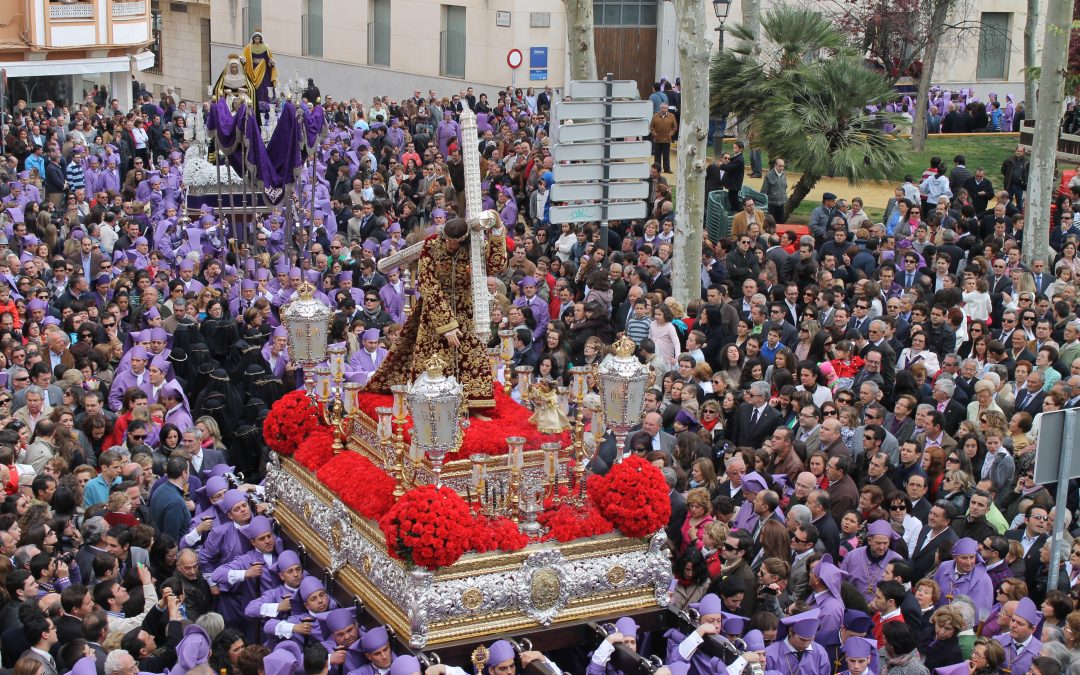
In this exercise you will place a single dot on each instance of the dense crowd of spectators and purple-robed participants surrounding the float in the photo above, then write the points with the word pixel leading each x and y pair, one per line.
pixel 847 421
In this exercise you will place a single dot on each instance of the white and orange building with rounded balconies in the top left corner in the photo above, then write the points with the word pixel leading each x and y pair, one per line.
pixel 62 51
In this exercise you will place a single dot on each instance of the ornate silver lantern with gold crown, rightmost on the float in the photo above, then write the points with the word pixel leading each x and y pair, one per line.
pixel 624 381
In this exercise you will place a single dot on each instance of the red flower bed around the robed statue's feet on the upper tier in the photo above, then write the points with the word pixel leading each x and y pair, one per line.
pixel 483 437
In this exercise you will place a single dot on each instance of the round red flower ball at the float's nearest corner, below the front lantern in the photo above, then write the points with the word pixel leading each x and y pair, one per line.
pixel 428 528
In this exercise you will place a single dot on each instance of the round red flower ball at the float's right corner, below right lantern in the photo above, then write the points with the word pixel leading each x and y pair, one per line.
pixel 633 497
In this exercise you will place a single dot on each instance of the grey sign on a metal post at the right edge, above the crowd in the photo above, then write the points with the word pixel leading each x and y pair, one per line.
pixel 1056 461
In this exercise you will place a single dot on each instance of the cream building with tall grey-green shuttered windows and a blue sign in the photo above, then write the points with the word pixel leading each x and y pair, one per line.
pixel 355 48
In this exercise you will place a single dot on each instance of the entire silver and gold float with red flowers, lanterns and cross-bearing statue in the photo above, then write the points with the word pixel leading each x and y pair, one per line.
pixel 449 528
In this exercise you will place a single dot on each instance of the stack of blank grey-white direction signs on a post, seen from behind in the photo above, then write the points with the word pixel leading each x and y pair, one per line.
pixel 601 171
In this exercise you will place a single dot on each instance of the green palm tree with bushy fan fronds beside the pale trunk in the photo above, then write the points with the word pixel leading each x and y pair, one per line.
pixel 811 98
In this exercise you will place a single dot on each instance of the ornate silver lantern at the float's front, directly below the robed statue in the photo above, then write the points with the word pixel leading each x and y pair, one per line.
pixel 435 400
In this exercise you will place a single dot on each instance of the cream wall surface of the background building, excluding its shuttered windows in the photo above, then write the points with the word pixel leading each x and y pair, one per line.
pixel 343 71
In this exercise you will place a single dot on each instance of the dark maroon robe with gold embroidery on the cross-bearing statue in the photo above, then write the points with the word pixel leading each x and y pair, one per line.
pixel 444 287
